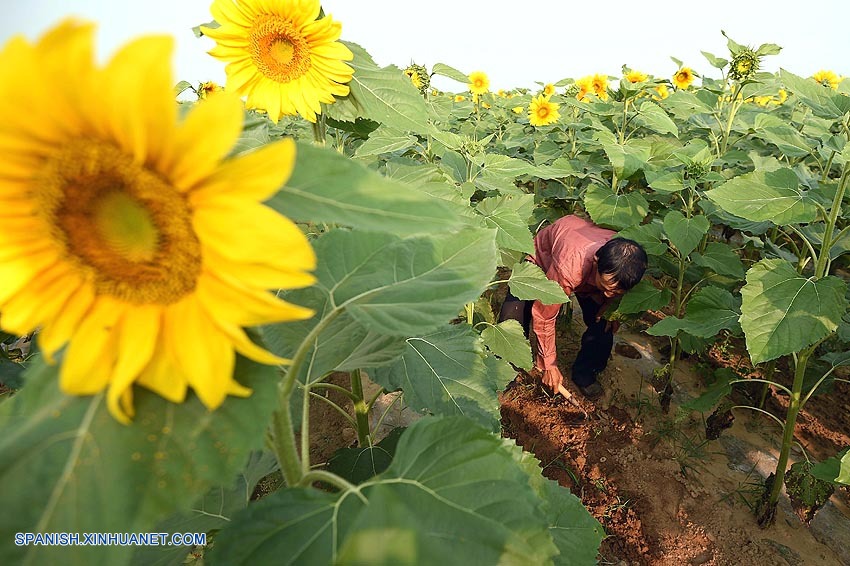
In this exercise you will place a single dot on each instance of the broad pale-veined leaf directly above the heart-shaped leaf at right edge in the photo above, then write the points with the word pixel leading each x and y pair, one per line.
pixel 765 195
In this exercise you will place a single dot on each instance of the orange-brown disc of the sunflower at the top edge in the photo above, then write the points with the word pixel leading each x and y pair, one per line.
pixel 279 50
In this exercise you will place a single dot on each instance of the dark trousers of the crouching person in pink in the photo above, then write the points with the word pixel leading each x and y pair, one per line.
pixel 596 343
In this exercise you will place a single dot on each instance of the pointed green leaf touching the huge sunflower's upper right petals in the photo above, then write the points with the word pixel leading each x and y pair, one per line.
pixel 329 187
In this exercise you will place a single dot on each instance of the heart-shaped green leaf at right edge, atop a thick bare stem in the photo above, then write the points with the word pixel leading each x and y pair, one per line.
pixel 783 311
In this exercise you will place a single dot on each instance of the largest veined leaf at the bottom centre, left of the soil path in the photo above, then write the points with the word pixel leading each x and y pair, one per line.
pixel 453 494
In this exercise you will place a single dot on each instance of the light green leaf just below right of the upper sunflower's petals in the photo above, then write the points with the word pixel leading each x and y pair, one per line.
pixel 385 95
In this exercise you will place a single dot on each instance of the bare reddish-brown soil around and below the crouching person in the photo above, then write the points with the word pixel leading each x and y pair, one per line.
pixel 664 494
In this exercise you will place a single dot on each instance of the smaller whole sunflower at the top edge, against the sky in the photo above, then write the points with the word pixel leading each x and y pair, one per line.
pixel 280 56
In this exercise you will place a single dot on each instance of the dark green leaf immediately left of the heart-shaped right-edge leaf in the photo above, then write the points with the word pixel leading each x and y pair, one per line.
pixel 709 311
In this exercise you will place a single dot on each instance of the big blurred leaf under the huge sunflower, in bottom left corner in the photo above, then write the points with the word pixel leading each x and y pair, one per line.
pixel 75 469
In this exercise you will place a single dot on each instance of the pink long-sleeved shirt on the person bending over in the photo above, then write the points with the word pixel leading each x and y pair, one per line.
pixel 565 251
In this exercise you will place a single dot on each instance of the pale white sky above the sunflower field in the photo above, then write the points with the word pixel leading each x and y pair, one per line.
pixel 515 43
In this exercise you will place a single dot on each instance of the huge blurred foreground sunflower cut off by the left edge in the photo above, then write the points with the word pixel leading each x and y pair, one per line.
pixel 123 232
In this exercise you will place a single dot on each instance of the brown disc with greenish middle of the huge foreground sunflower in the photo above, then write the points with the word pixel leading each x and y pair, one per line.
pixel 125 228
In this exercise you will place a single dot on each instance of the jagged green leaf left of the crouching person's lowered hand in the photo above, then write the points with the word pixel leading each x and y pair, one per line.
pixel 444 373
